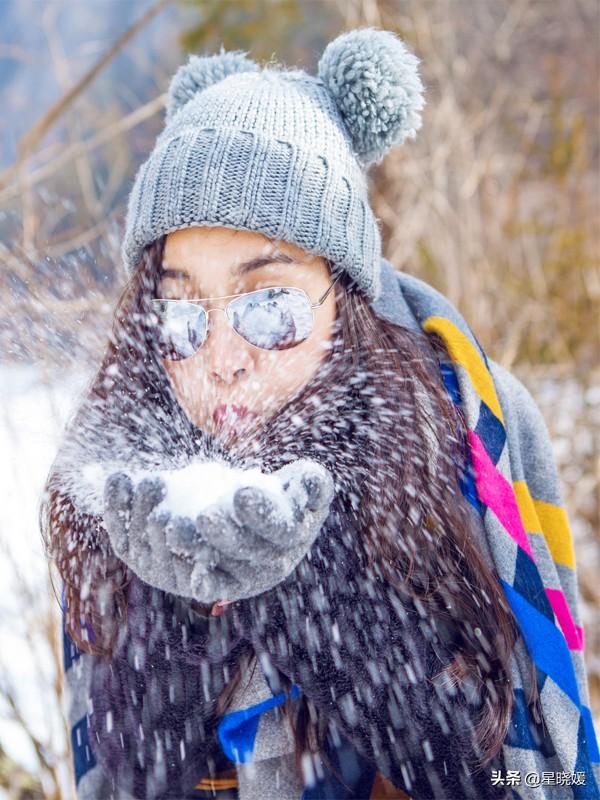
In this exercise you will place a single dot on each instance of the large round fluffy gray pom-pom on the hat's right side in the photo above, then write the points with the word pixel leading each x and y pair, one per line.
pixel 374 81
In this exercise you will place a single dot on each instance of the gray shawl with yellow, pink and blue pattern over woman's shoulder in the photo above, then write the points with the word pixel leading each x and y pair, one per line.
pixel 513 490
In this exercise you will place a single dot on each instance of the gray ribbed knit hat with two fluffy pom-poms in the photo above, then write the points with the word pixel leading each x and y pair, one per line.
pixel 281 152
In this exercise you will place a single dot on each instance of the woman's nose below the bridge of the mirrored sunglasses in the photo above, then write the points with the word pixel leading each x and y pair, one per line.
pixel 228 357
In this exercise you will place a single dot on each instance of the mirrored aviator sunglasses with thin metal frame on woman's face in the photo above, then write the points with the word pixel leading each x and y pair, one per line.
pixel 275 318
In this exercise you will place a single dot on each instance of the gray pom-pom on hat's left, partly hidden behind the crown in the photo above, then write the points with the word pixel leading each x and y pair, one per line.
pixel 201 72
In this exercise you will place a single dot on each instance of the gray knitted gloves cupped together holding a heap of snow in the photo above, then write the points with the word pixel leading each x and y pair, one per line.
pixel 231 551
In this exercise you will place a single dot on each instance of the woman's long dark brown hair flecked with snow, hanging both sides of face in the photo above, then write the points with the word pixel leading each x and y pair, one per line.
pixel 393 484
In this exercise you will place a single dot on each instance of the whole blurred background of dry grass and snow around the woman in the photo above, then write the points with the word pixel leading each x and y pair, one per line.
pixel 496 204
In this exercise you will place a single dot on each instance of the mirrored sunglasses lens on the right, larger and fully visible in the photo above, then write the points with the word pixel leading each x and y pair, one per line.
pixel 273 319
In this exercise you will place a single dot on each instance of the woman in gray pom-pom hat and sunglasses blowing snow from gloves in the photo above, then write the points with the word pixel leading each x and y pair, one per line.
pixel 353 637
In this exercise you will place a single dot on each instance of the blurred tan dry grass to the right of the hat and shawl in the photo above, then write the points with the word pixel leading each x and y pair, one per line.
pixel 497 202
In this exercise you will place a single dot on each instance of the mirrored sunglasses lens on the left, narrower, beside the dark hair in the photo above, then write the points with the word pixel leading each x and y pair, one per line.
pixel 180 329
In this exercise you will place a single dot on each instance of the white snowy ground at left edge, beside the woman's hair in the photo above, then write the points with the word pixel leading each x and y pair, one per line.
pixel 33 409
